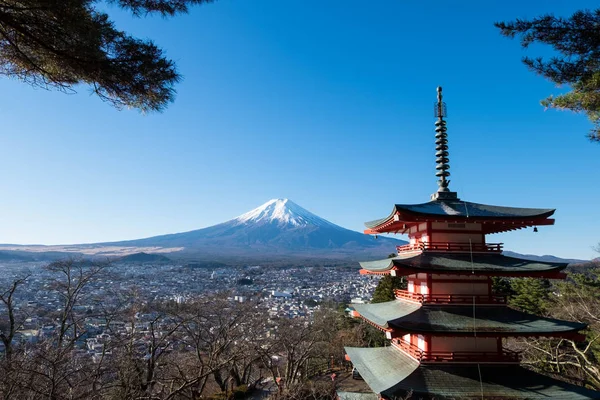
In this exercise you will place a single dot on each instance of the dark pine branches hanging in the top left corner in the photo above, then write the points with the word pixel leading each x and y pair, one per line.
pixel 62 43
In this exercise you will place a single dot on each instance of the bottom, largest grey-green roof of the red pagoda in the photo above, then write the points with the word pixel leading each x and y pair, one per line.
pixel 391 373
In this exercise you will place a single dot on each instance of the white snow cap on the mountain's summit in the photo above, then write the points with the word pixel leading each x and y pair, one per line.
pixel 282 212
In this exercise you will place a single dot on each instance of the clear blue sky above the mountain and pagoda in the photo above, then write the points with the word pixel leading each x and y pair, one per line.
pixel 328 103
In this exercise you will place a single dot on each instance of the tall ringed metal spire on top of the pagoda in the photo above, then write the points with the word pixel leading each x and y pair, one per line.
pixel 441 148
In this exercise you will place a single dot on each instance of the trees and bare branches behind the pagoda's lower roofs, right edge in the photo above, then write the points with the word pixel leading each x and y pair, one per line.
pixel 575 299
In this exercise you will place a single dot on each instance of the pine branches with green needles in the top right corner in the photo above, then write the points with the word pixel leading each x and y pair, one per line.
pixel 577 41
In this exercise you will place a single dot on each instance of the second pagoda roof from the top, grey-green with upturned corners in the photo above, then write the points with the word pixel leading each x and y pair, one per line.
pixel 455 263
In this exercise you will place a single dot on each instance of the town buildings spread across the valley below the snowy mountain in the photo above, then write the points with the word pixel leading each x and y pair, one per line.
pixel 278 292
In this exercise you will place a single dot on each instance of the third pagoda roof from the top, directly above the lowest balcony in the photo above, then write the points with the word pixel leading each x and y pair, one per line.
pixel 406 316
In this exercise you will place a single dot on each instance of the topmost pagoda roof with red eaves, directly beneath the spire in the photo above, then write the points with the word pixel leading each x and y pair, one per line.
pixel 504 218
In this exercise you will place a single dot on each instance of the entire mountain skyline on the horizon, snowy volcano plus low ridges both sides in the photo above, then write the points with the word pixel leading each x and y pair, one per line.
pixel 278 230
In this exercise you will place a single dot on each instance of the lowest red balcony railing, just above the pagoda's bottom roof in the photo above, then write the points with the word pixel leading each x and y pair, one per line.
pixel 467 357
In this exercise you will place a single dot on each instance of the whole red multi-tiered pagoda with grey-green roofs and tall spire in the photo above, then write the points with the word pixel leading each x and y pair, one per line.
pixel 447 329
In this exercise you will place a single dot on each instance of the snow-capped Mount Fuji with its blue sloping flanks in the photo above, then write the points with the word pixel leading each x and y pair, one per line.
pixel 279 227
